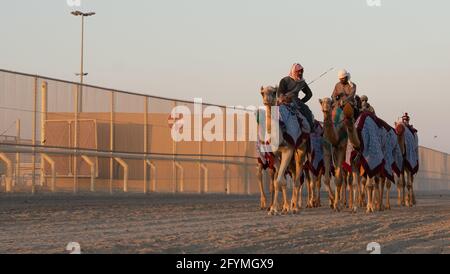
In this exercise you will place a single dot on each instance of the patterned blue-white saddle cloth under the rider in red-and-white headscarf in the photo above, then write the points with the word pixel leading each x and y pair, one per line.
pixel 293 125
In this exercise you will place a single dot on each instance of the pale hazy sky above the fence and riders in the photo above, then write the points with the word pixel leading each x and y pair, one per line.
pixel 223 51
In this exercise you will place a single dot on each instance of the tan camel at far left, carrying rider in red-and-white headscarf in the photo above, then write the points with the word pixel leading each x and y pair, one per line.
pixel 283 155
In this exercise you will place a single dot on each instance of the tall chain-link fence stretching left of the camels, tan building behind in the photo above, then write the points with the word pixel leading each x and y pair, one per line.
pixel 59 136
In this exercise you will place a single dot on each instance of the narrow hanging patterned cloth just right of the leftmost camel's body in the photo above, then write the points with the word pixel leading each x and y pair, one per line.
pixel 316 163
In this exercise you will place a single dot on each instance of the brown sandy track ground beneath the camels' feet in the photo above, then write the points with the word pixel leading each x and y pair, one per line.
pixel 212 224
